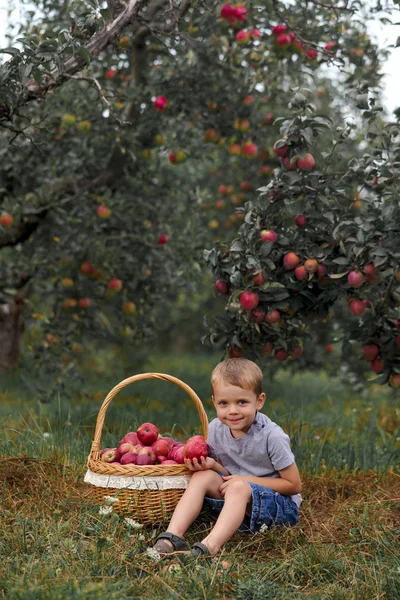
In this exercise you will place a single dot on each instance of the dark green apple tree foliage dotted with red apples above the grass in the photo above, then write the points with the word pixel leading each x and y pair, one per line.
pixel 135 135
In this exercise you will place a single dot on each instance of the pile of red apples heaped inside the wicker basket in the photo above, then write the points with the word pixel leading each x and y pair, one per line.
pixel 146 447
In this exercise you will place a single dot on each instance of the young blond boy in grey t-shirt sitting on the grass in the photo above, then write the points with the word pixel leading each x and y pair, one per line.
pixel 251 477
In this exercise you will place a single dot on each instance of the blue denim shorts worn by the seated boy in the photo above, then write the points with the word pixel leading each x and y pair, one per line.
pixel 267 508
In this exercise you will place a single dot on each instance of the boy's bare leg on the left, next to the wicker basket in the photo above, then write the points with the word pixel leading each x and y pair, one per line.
pixel 202 483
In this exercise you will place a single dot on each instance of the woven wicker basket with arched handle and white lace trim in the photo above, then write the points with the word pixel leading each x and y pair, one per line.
pixel 151 504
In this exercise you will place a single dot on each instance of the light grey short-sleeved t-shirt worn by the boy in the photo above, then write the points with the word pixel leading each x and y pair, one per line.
pixel 263 451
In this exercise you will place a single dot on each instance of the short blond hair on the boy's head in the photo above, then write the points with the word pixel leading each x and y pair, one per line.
pixel 240 372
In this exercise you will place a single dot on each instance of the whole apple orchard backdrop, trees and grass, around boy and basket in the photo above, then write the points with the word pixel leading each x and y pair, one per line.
pixel 199 179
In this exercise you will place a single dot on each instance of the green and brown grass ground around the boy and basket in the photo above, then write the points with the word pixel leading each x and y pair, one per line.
pixel 55 544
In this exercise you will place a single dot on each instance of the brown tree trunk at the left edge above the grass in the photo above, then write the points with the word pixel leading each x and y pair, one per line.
pixel 10 333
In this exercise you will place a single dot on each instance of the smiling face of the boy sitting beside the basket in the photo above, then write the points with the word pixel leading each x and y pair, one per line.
pixel 236 407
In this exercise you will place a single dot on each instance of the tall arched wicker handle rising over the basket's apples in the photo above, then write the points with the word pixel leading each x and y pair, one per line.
pixel 164 377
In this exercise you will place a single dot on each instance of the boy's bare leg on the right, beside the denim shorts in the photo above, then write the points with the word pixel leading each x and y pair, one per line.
pixel 237 495
